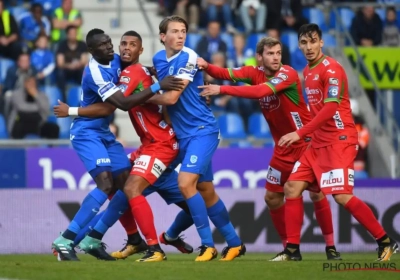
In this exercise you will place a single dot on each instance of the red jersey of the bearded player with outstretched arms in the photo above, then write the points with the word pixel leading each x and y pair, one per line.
pixel 286 110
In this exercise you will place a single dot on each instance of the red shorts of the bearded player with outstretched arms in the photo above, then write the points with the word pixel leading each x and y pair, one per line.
pixel 281 166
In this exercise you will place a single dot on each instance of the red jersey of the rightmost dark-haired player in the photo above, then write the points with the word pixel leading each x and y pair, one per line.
pixel 326 81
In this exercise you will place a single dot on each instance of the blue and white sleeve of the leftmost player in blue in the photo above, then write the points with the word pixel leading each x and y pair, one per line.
pixel 102 84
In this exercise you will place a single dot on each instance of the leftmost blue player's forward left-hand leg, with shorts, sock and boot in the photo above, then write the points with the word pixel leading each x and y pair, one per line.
pixel 96 159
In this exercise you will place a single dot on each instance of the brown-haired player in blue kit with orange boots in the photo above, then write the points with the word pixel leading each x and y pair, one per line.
pixel 198 134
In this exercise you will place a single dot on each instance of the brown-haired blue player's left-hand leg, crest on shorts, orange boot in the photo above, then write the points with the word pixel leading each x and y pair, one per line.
pixel 193 164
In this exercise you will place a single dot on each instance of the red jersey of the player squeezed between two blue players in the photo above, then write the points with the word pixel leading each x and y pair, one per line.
pixel 147 119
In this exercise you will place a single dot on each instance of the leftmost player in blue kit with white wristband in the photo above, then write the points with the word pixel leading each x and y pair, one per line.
pixel 103 156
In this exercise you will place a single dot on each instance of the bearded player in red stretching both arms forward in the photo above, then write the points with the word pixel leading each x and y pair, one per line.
pixel 278 89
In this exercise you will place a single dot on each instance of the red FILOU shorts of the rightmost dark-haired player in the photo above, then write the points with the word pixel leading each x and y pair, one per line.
pixel 329 169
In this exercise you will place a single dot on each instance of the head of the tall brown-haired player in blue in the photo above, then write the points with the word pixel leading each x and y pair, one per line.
pixel 173 32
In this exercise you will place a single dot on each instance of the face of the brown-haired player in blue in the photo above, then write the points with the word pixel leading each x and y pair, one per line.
pixel 175 37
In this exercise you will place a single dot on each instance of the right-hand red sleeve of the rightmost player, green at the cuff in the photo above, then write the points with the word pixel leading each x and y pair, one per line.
pixel 333 84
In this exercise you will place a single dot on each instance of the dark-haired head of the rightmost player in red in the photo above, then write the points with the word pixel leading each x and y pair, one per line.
pixel 310 41
